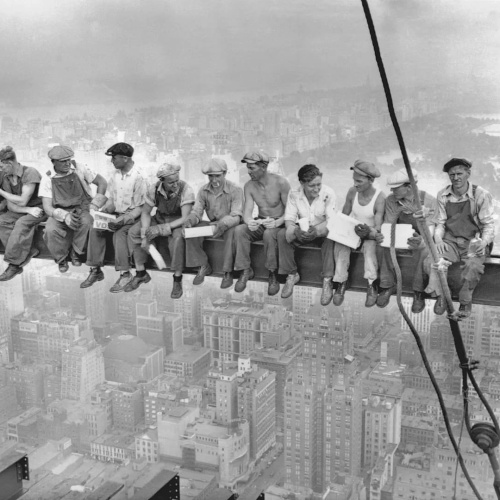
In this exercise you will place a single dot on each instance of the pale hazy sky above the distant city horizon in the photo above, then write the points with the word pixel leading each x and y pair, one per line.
pixel 133 50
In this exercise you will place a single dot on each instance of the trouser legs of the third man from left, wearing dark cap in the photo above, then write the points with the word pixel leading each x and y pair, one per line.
pixel 97 248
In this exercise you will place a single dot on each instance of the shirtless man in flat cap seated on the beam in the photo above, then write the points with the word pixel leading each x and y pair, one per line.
pixel 269 192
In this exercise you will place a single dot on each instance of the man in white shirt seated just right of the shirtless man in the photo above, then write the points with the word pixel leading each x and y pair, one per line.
pixel 312 201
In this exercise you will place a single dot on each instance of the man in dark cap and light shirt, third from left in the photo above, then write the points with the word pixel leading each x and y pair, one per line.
pixel 126 191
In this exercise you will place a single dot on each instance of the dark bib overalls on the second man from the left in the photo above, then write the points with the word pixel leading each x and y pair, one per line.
pixel 68 194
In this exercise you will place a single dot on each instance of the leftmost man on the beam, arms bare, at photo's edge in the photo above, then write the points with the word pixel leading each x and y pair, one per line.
pixel 24 212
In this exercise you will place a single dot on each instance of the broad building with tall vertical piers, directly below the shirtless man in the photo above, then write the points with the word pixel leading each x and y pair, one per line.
pixel 237 327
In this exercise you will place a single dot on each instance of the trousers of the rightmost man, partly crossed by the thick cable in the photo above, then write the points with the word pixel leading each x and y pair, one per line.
pixel 471 272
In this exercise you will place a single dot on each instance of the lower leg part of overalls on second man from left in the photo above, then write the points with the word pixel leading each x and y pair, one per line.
pixel 59 238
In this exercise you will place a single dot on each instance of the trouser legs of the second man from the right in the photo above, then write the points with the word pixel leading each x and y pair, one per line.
pixel 419 267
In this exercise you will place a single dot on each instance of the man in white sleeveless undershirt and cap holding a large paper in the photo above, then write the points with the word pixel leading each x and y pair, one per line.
pixel 365 203
